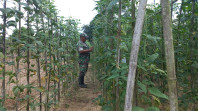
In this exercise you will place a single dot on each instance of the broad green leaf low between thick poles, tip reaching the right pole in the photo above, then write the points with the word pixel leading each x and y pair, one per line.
pixel 157 92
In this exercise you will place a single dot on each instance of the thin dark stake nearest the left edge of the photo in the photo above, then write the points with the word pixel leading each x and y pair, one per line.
pixel 4 53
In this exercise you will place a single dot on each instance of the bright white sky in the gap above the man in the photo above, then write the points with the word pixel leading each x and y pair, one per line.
pixel 77 9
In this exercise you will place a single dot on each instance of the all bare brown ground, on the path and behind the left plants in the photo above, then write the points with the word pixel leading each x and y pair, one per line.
pixel 77 99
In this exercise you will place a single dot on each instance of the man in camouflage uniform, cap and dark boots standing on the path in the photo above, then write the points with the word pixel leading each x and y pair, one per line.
pixel 84 56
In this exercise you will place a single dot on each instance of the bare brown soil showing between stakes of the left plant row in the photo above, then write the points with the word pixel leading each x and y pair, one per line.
pixel 10 102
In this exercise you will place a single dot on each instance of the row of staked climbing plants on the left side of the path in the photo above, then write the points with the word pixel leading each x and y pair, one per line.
pixel 44 45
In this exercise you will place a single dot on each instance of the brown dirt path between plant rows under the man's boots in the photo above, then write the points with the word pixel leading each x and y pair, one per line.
pixel 81 99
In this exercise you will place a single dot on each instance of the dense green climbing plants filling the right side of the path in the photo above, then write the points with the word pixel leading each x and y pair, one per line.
pixel 151 92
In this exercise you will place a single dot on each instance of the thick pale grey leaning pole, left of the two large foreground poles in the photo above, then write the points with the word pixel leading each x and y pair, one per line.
pixel 134 56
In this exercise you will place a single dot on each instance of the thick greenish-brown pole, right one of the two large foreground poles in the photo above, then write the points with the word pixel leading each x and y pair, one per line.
pixel 169 53
